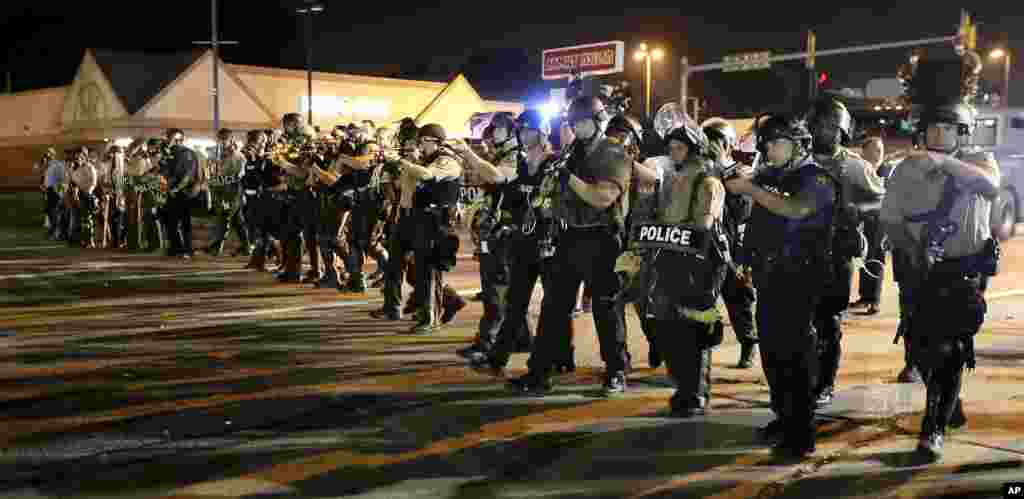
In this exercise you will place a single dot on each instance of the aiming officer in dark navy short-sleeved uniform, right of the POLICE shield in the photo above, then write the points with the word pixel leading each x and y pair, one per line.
pixel 787 245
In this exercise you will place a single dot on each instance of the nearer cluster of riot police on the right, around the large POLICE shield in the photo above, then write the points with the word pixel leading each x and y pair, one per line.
pixel 803 241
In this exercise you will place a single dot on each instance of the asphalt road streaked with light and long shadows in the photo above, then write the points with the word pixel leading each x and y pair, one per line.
pixel 141 377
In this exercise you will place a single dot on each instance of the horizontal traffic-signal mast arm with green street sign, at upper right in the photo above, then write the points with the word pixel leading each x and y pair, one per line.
pixel 967 33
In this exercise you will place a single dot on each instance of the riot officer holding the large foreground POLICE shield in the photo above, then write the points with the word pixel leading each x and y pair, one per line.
pixel 677 262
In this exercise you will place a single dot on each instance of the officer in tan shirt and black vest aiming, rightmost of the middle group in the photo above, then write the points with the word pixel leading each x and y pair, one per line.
pixel 431 195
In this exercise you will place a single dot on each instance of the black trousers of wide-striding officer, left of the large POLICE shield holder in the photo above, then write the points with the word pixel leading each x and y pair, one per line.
pixel 583 256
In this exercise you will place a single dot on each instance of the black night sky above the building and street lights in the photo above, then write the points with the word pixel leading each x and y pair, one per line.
pixel 499 45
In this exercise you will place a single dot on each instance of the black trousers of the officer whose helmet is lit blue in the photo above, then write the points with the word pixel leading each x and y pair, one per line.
pixel 526 269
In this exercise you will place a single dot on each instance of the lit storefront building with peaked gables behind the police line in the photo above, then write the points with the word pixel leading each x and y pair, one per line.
pixel 119 96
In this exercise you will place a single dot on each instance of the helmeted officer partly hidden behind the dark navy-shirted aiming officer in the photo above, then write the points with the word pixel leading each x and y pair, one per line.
pixel 832 128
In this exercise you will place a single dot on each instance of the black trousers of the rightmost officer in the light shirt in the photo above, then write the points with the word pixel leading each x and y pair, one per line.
pixel 944 341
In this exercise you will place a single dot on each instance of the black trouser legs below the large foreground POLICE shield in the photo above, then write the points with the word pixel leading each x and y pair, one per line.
pixel 684 346
